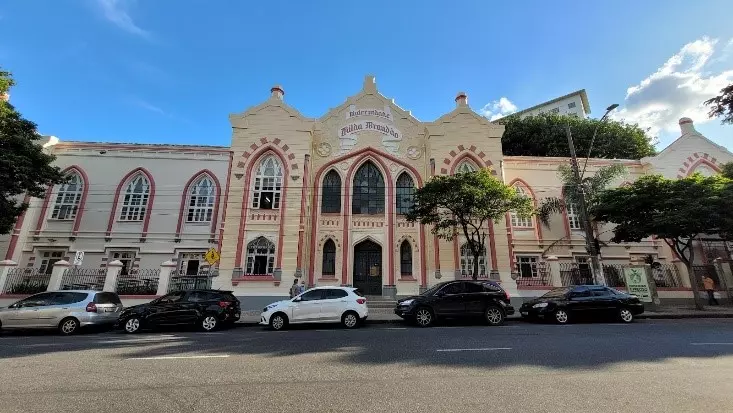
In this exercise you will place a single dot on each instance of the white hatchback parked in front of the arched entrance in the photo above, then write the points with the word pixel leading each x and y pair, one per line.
pixel 343 305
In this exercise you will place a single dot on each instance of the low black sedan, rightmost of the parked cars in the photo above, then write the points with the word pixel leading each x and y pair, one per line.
pixel 562 305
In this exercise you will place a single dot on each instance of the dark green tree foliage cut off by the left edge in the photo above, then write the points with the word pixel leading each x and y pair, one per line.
pixel 24 167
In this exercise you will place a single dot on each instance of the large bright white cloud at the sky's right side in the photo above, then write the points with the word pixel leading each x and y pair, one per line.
pixel 677 89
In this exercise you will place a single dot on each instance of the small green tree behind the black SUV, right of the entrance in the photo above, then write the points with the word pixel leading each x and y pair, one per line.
pixel 465 203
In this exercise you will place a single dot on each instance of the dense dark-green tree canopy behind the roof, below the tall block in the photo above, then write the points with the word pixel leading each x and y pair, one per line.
pixel 544 135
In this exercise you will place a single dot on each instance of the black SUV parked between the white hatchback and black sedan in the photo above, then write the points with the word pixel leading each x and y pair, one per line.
pixel 457 299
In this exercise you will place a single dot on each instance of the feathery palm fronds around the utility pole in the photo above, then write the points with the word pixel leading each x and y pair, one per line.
pixel 592 186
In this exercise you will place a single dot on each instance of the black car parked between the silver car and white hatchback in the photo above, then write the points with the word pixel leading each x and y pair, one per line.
pixel 206 308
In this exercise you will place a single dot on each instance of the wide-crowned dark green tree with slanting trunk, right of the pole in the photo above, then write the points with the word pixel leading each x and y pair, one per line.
pixel 676 210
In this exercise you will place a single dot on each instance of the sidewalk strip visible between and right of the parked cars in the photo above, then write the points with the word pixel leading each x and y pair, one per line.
pixel 382 316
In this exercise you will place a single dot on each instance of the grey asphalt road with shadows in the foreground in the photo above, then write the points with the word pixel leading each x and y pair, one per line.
pixel 649 366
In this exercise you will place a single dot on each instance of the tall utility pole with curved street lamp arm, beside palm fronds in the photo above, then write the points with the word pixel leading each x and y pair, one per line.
pixel 590 243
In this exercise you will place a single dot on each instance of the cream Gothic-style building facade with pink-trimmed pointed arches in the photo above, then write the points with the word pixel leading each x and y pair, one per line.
pixel 320 199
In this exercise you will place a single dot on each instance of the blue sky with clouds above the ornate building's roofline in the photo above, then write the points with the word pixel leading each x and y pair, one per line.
pixel 170 71
